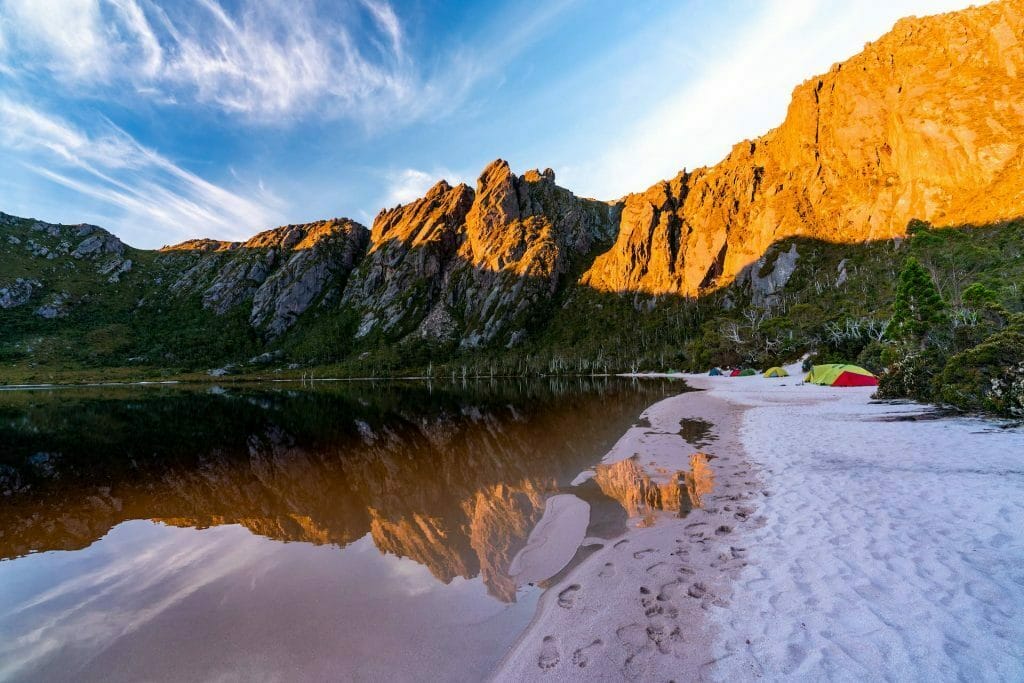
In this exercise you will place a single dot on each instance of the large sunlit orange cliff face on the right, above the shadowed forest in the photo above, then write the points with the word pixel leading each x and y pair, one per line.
pixel 928 123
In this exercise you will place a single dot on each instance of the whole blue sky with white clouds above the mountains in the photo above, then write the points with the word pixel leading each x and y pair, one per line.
pixel 169 120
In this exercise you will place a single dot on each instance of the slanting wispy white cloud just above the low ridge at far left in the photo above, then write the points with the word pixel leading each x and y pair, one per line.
pixel 141 186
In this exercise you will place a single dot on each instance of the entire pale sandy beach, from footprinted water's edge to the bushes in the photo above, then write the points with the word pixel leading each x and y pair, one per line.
pixel 843 540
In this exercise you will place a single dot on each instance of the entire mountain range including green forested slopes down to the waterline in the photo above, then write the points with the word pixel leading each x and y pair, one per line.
pixel 793 242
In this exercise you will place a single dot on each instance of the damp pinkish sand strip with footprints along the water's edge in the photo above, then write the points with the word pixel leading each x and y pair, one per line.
pixel 635 609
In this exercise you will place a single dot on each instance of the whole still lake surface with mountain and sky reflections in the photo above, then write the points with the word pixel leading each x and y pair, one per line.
pixel 346 532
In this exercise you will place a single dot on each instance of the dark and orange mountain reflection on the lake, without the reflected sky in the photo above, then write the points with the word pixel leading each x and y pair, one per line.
pixel 452 479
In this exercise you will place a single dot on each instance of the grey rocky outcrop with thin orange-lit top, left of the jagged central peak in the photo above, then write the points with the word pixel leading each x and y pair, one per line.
pixel 280 274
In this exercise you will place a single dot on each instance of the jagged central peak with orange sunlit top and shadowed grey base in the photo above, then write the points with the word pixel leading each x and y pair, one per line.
pixel 475 267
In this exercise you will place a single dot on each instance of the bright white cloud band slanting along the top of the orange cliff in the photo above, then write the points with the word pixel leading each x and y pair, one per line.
pixel 742 91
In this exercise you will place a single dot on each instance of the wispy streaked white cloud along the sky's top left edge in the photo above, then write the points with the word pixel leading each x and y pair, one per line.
pixel 267 61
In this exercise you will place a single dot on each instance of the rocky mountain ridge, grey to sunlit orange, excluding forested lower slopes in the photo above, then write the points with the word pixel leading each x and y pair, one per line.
pixel 925 123
